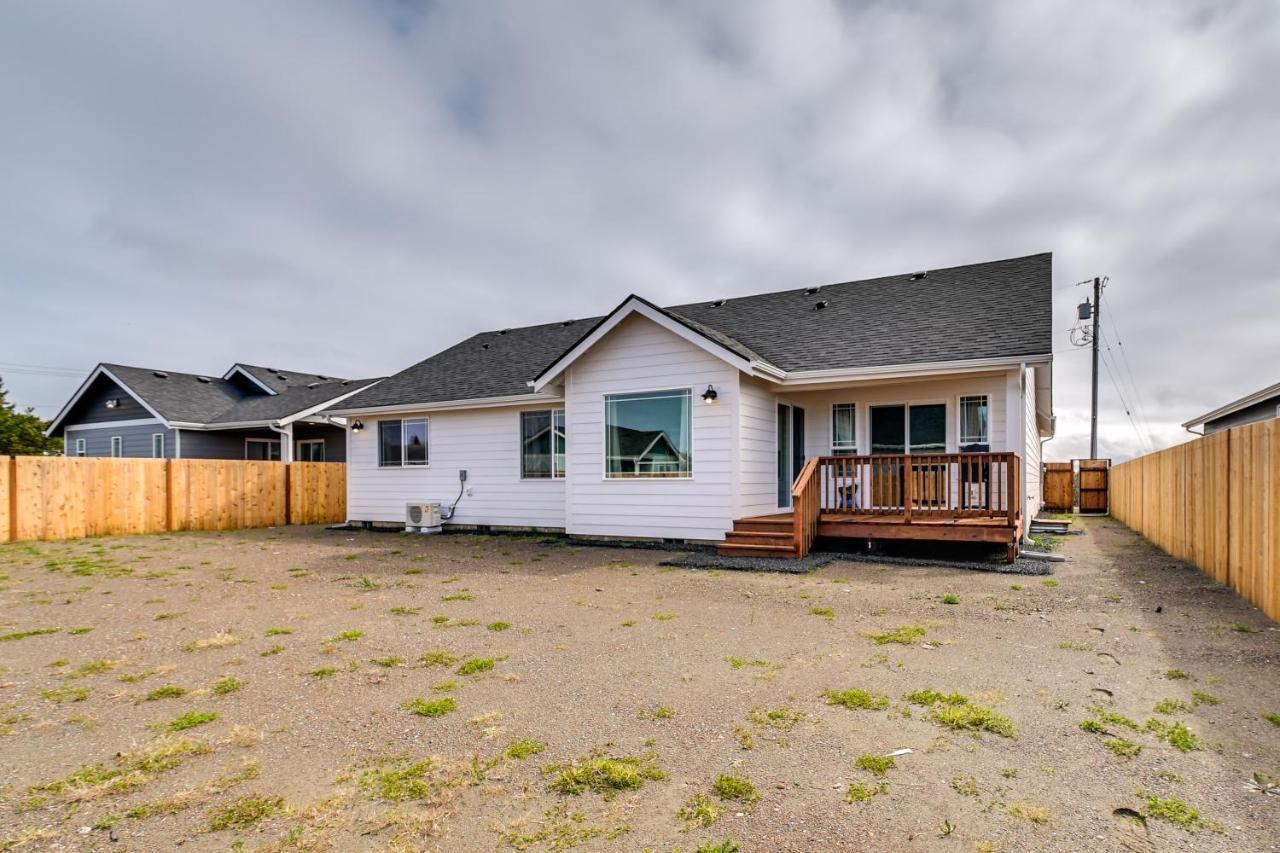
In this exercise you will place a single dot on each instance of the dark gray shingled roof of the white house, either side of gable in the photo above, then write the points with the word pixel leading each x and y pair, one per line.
pixel 996 309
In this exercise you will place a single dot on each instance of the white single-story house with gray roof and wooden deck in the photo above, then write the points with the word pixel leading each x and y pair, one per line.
pixel 908 407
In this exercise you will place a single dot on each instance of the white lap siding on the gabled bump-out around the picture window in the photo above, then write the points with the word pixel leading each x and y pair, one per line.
pixel 641 355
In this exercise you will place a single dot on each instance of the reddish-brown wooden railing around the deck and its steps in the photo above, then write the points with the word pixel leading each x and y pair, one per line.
pixel 917 487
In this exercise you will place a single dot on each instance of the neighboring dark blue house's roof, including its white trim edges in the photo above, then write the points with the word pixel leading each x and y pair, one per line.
pixel 213 402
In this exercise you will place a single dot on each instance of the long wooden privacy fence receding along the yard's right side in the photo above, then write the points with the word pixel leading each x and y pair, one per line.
pixel 1215 503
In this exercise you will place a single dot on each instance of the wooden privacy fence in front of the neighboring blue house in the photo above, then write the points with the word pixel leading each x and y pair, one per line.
pixel 57 498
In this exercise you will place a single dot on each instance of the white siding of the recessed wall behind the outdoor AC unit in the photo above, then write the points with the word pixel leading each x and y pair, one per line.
pixel 486 443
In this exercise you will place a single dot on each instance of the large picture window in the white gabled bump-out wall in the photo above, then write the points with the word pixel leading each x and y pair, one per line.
pixel 648 435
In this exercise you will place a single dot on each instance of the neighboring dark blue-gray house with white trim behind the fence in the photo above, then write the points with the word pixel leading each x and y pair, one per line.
pixel 249 413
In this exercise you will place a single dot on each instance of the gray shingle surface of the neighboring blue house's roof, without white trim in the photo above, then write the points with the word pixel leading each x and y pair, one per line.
pixel 191 399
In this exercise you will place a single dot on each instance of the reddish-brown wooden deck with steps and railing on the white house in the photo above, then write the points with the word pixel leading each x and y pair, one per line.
pixel 968 498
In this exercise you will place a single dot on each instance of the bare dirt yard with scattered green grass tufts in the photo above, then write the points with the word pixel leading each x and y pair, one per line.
pixel 321 691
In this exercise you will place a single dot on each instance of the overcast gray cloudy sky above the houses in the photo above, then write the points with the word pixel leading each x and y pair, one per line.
pixel 348 188
